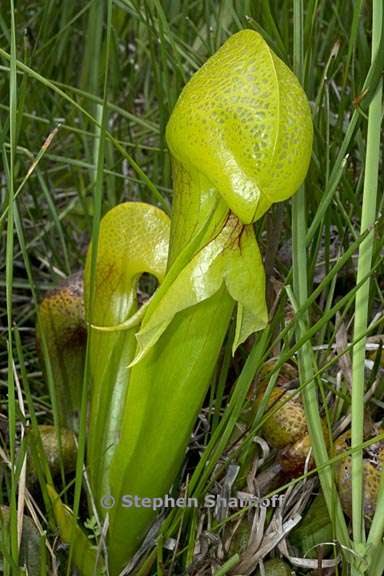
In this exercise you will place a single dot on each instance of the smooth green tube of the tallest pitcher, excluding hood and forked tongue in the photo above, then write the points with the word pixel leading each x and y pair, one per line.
pixel 166 391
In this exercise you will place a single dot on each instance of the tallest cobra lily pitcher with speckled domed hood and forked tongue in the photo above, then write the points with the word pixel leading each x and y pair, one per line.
pixel 240 137
